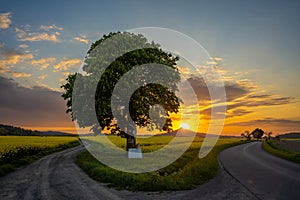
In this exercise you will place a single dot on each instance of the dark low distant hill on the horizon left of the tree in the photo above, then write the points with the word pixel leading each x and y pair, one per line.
pixel 18 131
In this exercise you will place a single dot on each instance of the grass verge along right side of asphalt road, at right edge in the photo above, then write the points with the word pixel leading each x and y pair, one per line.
pixel 273 148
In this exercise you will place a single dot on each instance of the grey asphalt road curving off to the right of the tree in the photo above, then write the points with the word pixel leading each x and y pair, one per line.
pixel 264 175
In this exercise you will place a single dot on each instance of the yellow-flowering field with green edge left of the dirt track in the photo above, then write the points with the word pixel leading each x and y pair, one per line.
pixel 16 151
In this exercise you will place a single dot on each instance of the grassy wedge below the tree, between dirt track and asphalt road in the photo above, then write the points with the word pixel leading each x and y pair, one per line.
pixel 187 172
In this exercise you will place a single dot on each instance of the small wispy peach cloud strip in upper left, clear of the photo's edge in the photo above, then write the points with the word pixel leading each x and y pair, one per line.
pixel 49 33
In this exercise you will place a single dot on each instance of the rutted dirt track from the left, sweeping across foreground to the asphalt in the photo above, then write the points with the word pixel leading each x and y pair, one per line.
pixel 56 176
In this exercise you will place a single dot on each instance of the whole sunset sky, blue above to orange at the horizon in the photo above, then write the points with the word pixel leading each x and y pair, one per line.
pixel 254 43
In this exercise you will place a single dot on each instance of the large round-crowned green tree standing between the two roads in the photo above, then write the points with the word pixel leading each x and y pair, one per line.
pixel 135 50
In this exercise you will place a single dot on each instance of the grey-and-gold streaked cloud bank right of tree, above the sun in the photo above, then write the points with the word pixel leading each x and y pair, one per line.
pixel 242 99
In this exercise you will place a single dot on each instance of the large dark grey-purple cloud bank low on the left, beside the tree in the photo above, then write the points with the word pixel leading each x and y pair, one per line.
pixel 39 106
